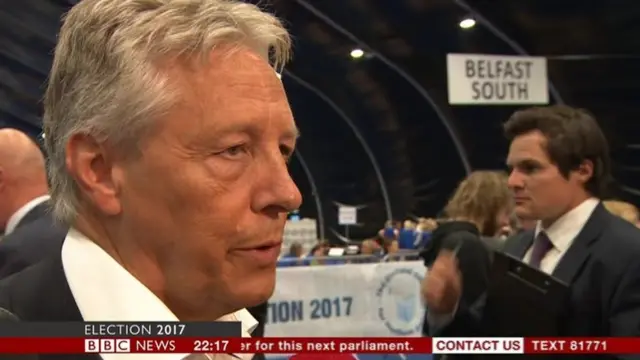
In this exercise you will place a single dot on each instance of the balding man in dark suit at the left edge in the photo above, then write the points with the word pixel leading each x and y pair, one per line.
pixel 31 234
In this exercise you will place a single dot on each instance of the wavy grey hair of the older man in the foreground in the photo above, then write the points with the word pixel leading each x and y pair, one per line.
pixel 105 81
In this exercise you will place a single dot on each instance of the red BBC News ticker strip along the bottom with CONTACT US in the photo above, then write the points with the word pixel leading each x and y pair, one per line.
pixel 189 345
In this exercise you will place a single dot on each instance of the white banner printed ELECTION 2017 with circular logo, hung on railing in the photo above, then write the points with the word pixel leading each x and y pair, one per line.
pixel 368 300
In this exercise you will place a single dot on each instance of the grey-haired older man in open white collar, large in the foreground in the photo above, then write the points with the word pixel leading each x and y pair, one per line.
pixel 179 217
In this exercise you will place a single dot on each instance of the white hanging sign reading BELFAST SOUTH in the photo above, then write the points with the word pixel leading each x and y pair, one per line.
pixel 496 80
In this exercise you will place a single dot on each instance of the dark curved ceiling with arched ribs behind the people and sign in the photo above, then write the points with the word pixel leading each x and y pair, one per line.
pixel 378 131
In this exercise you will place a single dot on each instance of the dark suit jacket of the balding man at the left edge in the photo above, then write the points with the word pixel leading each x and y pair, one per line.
pixel 36 237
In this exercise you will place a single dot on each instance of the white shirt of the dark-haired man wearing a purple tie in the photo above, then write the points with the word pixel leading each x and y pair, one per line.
pixel 561 234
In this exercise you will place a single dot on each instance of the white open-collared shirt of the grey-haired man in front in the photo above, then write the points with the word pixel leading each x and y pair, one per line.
pixel 105 291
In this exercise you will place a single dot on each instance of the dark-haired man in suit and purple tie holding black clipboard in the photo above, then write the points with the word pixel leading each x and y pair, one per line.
pixel 560 163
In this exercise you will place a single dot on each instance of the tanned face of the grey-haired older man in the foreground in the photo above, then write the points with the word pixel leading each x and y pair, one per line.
pixel 209 198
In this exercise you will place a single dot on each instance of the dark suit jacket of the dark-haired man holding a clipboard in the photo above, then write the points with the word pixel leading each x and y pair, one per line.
pixel 602 266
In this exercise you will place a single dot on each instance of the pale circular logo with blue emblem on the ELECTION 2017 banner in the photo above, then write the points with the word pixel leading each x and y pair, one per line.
pixel 400 307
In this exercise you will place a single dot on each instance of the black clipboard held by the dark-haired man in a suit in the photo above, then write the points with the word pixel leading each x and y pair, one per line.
pixel 522 300
